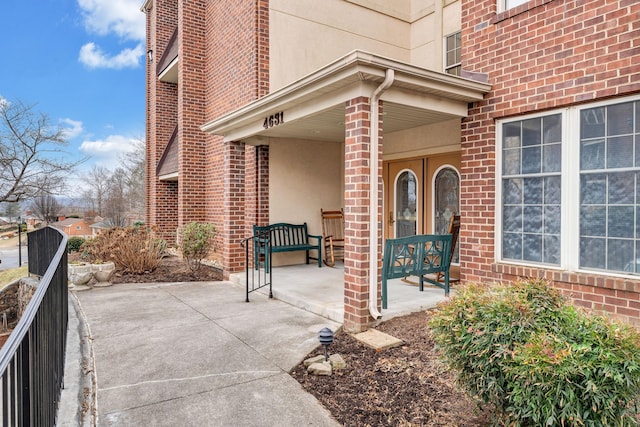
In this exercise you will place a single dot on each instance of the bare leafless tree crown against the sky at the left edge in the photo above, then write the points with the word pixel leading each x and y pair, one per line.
pixel 32 161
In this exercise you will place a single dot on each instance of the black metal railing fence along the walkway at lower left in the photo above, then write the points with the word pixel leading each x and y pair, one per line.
pixel 32 359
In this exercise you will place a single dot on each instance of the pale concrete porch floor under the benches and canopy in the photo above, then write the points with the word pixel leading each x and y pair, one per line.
pixel 320 291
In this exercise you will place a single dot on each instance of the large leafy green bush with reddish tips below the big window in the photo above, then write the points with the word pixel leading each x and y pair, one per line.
pixel 539 360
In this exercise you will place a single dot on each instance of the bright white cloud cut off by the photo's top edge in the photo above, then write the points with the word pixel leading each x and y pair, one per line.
pixel 120 17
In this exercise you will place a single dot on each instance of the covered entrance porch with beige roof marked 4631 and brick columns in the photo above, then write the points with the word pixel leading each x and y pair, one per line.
pixel 319 144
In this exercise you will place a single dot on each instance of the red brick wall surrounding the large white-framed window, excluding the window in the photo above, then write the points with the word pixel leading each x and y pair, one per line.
pixel 544 54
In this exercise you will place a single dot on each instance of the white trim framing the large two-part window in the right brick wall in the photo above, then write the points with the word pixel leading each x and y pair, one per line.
pixel 570 185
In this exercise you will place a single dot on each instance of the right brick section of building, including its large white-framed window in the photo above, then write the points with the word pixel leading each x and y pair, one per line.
pixel 550 157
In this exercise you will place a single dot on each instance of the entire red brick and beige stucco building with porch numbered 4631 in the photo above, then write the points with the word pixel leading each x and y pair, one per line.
pixel 261 112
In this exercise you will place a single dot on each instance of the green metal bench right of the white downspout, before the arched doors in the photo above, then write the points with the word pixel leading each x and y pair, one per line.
pixel 417 256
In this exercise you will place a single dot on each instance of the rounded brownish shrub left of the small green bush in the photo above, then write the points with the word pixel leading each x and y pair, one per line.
pixel 132 249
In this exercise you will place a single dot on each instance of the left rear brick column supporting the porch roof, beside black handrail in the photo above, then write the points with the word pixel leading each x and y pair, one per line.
pixel 234 208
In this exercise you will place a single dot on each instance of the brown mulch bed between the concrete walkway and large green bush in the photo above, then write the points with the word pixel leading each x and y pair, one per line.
pixel 401 386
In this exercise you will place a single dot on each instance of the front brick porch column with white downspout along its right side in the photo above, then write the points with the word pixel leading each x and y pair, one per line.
pixel 357 227
